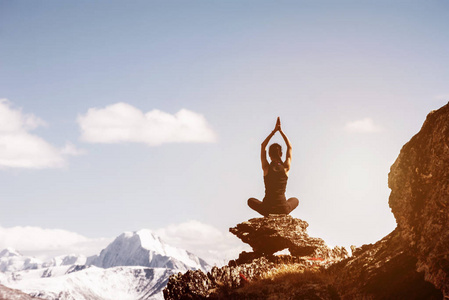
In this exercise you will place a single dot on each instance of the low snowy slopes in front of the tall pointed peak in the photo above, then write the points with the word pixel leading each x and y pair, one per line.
pixel 94 283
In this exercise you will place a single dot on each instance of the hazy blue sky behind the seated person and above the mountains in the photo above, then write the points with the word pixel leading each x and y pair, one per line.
pixel 352 82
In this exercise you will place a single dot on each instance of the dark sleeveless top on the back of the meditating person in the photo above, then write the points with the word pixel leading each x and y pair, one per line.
pixel 275 184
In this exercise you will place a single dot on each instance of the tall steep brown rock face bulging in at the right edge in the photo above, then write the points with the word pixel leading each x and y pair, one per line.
pixel 419 200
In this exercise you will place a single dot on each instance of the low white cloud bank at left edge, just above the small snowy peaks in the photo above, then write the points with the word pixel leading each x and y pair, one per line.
pixel 47 243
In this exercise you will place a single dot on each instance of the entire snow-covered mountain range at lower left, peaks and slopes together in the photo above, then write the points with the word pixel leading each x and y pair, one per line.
pixel 136 265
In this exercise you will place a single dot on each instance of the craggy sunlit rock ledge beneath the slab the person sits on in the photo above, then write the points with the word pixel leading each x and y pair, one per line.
pixel 229 282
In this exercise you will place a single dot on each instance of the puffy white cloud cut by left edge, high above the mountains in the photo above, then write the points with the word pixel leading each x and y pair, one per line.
pixel 21 149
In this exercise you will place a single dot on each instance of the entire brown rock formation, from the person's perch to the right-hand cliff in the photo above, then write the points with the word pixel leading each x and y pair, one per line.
pixel 412 262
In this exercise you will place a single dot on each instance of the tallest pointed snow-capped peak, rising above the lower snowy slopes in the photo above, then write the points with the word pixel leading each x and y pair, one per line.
pixel 143 248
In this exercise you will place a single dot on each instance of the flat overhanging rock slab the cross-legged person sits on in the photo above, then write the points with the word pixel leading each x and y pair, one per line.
pixel 278 232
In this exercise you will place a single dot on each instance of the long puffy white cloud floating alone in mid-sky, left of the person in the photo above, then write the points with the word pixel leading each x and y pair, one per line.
pixel 121 122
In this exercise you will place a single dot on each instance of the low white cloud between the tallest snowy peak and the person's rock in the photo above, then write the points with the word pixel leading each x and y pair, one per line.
pixel 213 245
